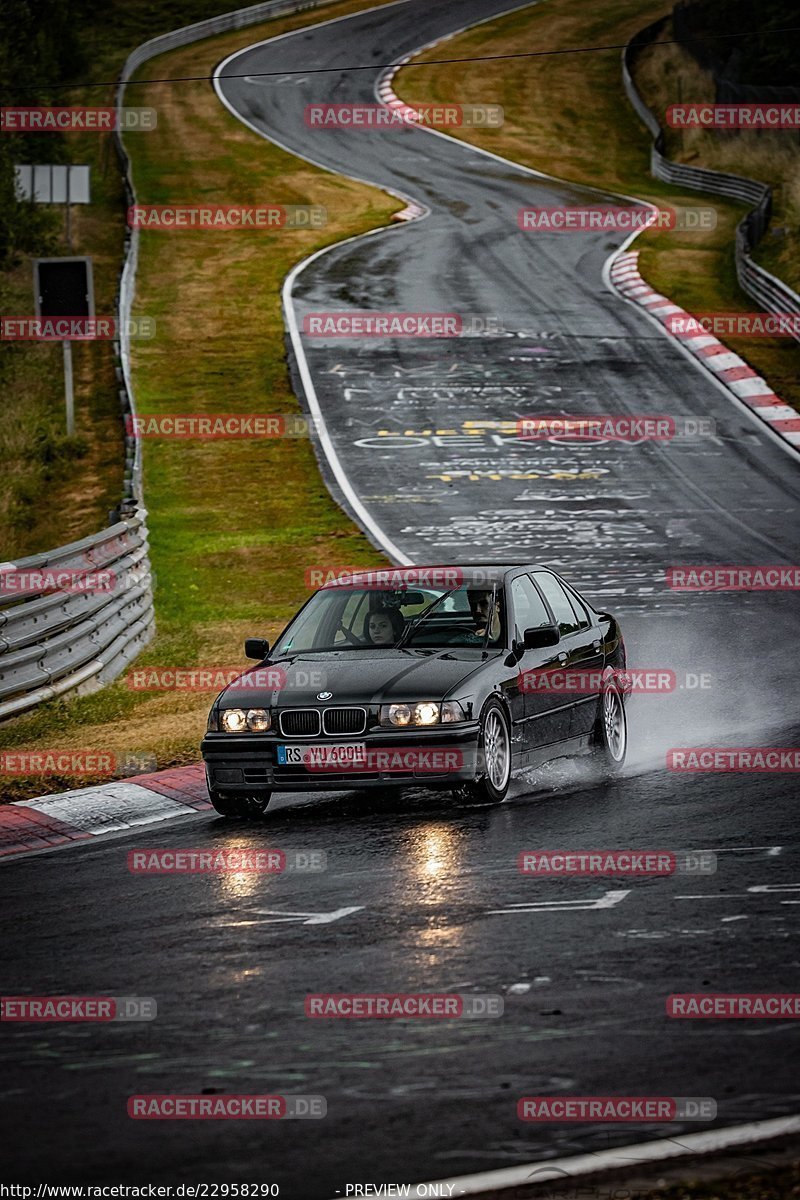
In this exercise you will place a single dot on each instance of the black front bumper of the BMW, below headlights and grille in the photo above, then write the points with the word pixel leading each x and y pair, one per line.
pixel 244 764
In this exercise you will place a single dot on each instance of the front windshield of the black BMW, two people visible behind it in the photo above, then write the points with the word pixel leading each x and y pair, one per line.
pixel 375 619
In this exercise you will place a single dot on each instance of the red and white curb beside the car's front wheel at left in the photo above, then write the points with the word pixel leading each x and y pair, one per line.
pixel 55 821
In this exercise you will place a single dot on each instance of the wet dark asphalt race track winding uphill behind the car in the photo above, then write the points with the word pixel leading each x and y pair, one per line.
pixel 416 1101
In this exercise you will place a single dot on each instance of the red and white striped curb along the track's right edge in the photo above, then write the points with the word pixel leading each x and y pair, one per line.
pixel 732 371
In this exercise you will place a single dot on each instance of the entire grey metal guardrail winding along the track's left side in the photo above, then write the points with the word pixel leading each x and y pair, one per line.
pixel 58 640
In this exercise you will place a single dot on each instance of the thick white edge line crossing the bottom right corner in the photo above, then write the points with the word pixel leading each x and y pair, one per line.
pixel 615 1160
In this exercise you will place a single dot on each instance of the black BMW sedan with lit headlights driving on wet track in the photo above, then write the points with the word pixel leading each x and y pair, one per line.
pixel 447 677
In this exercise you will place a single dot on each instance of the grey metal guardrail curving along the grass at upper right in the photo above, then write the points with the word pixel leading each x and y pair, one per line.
pixel 769 292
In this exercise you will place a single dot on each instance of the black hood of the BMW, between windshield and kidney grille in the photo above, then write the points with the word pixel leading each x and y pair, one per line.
pixel 357 676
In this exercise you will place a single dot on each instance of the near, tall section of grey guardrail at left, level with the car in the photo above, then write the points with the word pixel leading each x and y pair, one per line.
pixel 63 632
